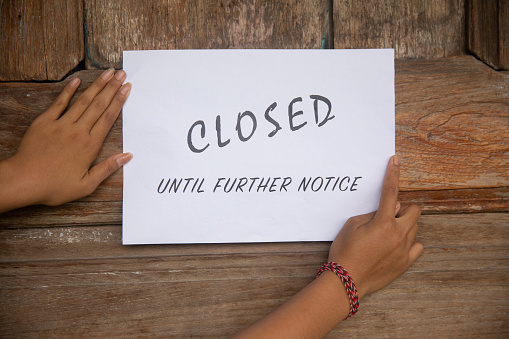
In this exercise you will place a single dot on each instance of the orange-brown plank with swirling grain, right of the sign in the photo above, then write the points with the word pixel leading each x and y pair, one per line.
pixel 452 125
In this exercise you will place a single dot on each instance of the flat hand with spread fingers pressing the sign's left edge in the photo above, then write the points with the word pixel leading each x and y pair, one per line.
pixel 53 162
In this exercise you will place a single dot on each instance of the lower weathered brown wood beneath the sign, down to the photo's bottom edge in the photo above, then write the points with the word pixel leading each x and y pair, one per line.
pixel 68 282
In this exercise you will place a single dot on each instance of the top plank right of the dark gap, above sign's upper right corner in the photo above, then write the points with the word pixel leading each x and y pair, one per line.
pixel 415 29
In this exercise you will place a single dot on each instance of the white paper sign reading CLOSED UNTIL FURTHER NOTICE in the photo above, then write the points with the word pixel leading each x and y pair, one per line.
pixel 254 145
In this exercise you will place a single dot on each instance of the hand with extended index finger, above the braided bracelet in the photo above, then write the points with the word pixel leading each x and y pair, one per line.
pixel 377 247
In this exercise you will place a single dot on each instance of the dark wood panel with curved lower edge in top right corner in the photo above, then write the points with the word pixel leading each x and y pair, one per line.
pixel 488 31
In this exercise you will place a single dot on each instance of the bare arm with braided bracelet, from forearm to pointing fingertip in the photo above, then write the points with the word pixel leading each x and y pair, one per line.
pixel 374 248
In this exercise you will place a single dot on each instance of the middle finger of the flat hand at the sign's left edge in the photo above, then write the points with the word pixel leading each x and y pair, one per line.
pixel 102 101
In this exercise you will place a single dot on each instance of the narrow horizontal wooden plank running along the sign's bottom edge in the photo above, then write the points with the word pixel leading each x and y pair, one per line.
pixel 105 242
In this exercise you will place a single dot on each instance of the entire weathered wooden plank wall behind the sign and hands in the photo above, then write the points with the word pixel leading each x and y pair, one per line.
pixel 64 272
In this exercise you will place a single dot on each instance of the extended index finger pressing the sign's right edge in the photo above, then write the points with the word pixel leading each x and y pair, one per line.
pixel 390 189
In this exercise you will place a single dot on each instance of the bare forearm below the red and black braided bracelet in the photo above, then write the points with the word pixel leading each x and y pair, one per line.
pixel 311 313
